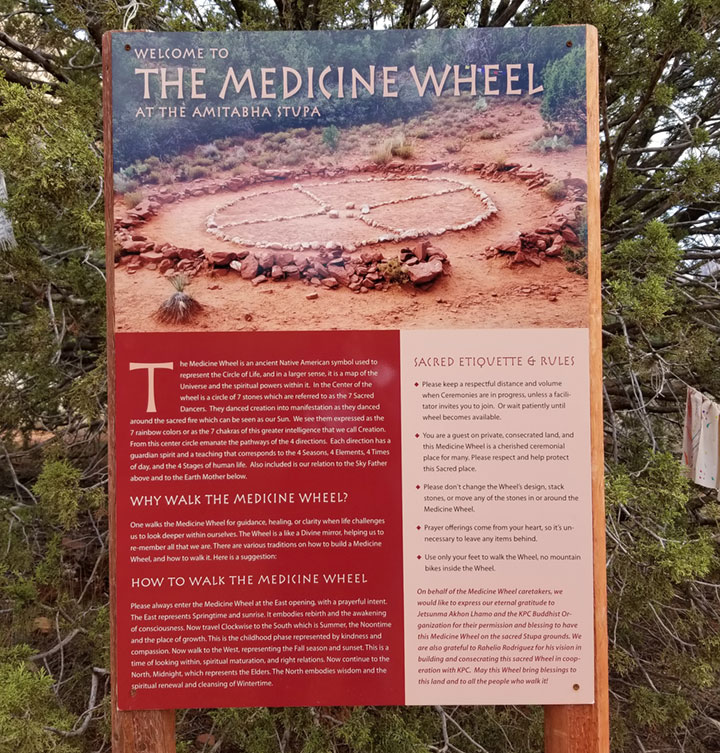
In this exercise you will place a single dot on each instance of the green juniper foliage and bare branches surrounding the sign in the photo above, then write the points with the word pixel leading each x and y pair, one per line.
pixel 661 189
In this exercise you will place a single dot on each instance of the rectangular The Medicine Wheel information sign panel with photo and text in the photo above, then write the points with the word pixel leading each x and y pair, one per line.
pixel 350 318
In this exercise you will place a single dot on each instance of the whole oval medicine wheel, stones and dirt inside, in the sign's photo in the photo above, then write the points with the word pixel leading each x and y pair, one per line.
pixel 236 221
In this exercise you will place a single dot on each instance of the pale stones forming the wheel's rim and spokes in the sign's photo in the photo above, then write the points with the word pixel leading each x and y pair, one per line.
pixel 391 233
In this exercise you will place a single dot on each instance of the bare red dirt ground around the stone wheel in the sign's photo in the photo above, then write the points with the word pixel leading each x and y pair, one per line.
pixel 479 293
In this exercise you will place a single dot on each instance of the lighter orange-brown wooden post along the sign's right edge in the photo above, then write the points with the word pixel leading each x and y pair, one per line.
pixel 585 728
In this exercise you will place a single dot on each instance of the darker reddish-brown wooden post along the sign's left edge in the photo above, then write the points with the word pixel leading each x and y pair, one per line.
pixel 132 731
